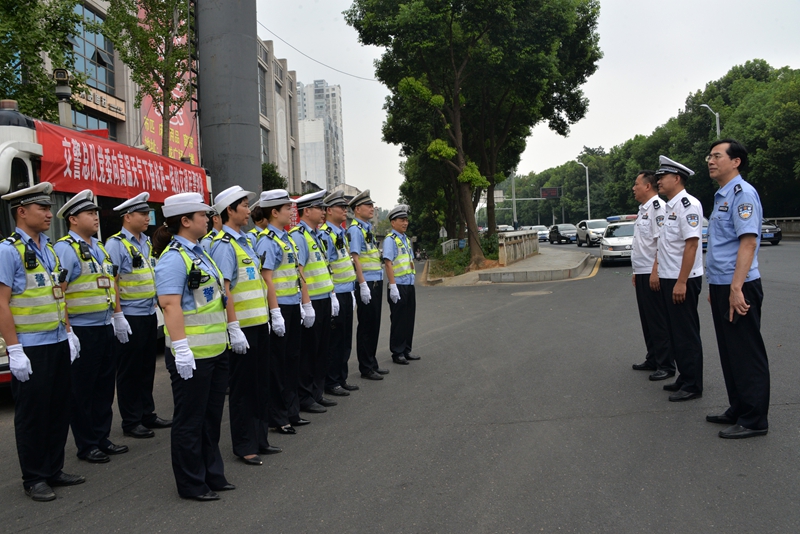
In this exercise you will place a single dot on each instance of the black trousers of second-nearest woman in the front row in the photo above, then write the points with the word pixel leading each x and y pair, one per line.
pixel 249 391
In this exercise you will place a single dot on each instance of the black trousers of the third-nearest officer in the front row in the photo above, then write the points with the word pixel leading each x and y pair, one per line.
pixel 284 351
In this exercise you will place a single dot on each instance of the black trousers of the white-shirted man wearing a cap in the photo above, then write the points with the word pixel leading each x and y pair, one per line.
pixel 684 333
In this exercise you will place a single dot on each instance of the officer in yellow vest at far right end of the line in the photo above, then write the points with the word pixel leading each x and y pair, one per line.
pixel 398 260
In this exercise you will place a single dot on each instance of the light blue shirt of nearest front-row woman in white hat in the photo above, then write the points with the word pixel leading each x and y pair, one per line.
pixel 171 276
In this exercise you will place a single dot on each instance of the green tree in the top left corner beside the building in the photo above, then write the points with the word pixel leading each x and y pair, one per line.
pixel 29 31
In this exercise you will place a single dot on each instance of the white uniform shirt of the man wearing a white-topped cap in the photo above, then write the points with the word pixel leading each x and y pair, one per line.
pixel 683 219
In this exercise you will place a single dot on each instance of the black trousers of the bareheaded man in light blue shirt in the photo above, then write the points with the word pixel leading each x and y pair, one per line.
pixel 743 356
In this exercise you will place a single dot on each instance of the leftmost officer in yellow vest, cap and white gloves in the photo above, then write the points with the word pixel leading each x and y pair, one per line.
pixel 40 344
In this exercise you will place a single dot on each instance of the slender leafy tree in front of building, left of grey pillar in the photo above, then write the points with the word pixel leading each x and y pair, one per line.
pixel 152 38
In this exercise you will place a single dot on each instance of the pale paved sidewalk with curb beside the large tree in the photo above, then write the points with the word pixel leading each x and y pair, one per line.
pixel 549 264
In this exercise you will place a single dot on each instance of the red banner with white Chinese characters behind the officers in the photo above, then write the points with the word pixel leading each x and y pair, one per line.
pixel 73 161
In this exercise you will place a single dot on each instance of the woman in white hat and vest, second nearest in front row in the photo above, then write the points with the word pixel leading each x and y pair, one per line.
pixel 247 327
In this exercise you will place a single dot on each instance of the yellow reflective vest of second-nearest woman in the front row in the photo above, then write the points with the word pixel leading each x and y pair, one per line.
pixel 250 293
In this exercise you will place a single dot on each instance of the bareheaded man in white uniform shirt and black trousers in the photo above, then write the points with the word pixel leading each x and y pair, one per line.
pixel 652 313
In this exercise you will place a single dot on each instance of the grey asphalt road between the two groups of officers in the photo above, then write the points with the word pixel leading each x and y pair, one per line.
pixel 523 415
